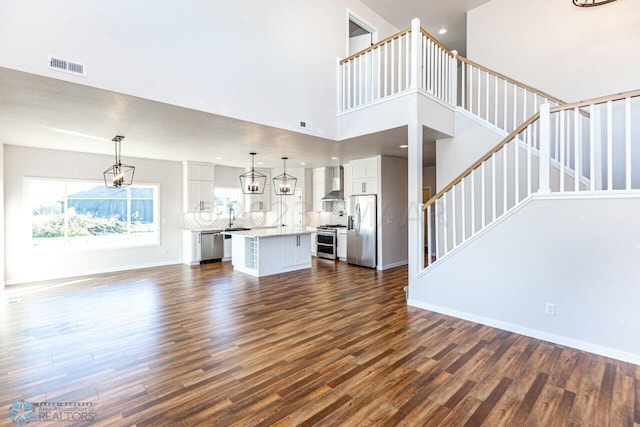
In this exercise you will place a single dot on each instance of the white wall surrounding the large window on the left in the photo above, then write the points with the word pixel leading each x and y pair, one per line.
pixel 26 263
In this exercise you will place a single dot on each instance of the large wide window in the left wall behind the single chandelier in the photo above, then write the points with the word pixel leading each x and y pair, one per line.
pixel 88 213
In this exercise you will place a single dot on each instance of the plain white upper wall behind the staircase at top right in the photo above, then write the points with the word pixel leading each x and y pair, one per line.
pixel 569 52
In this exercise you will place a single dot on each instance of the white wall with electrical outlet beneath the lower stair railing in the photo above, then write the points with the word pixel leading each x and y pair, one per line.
pixel 577 253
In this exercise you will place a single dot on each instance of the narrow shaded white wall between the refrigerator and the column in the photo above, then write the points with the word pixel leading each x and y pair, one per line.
pixel 393 216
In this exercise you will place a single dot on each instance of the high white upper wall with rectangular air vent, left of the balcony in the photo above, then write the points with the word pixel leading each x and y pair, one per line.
pixel 249 59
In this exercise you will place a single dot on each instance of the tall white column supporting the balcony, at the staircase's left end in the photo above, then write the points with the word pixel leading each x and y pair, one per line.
pixel 415 214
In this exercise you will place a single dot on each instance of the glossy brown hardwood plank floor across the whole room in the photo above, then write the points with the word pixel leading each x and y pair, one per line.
pixel 334 345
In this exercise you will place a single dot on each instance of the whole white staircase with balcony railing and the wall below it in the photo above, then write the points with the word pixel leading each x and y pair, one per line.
pixel 544 217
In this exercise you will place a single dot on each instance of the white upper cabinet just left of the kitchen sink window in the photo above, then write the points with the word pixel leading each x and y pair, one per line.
pixel 198 186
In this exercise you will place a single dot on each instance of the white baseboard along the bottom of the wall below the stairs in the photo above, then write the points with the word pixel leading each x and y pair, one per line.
pixel 534 333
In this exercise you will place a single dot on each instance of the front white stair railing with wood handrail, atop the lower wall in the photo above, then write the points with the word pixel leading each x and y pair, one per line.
pixel 590 146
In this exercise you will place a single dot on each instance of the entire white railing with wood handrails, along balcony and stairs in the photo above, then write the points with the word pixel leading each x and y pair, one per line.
pixel 579 147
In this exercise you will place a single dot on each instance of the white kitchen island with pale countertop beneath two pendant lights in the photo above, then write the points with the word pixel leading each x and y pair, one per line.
pixel 262 252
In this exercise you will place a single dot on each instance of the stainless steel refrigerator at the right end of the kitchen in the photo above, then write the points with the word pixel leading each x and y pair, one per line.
pixel 361 231
